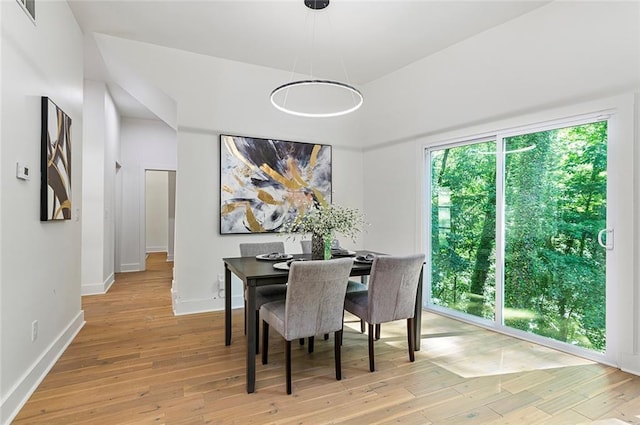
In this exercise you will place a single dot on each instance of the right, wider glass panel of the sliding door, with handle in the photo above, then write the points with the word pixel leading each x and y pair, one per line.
pixel 555 205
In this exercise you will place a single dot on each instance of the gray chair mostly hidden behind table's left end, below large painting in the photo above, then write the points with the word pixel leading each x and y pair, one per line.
pixel 264 294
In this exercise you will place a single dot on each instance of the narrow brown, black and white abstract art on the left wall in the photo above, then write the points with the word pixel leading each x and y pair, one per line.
pixel 55 164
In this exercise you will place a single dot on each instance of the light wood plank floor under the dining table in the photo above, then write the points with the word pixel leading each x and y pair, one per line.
pixel 135 363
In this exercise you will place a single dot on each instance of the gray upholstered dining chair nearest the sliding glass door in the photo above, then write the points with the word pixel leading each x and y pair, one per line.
pixel 391 296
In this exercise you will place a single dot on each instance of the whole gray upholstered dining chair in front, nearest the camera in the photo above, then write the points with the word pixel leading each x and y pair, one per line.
pixel 314 305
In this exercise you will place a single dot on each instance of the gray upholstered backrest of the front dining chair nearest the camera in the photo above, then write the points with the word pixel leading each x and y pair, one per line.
pixel 315 297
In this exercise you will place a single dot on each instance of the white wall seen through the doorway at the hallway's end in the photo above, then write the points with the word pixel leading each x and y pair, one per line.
pixel 157 211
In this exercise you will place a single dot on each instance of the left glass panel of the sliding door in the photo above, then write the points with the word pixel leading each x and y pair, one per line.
pixel 463 227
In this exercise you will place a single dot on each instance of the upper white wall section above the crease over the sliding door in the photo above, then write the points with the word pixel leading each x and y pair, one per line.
pixel 563 52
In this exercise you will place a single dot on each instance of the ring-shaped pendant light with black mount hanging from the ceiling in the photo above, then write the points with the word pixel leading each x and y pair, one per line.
pixel 310 97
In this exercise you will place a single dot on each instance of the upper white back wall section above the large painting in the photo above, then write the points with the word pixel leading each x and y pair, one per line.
pixel 217 95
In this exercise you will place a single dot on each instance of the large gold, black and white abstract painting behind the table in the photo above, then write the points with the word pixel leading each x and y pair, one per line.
pixel 266 182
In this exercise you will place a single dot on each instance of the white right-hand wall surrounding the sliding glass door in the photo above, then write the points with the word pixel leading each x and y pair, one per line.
pixel 558 61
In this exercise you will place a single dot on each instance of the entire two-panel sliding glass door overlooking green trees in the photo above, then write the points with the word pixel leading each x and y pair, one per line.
pixel 514 232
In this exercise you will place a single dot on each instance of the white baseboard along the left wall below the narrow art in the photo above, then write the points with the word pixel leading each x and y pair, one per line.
pixel 18 395
